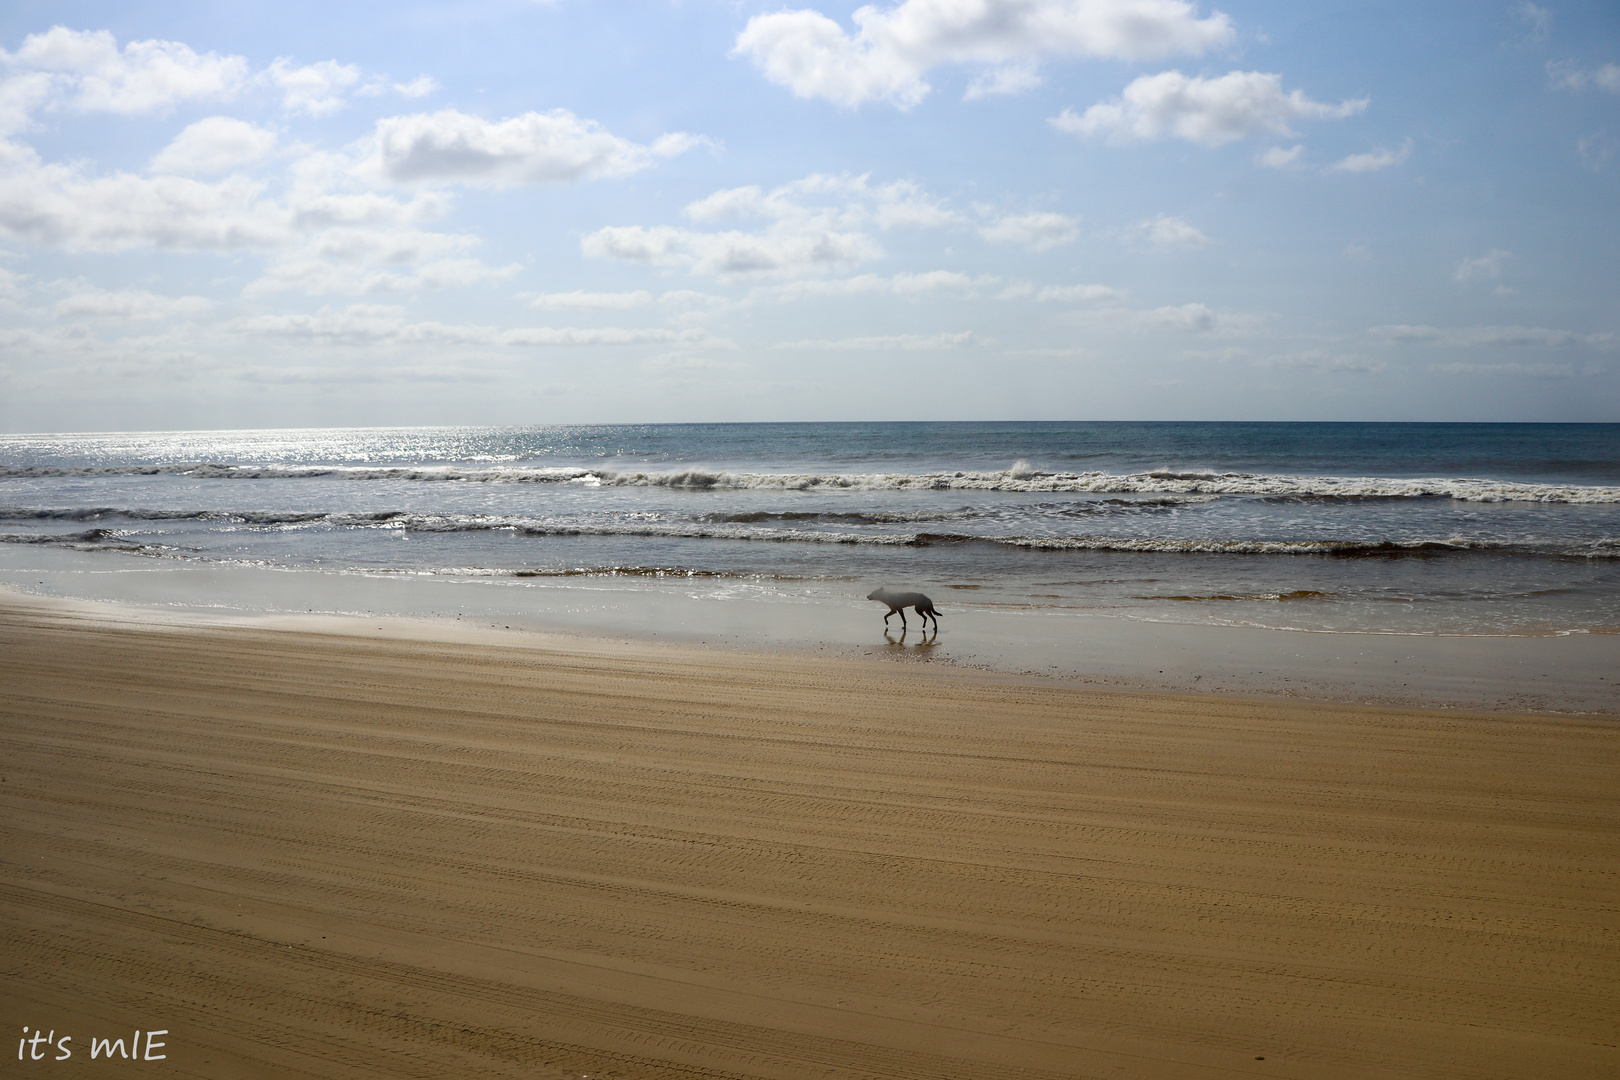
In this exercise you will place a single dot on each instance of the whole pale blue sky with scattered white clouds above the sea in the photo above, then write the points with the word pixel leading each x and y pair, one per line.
pixel 524 213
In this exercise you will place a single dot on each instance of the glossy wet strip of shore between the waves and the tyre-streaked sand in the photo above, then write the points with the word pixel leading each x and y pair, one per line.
pixel 1559 674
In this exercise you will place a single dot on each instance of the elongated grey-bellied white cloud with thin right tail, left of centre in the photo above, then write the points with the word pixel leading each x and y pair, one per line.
pixel 537 148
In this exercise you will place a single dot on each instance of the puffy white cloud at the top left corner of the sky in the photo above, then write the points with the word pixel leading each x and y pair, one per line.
pixel 143 77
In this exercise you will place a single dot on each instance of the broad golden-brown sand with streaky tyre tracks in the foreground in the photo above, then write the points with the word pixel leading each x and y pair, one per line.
pixel 310 854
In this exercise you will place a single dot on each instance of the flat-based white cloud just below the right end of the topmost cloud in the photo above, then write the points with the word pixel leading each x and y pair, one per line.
pixel 1213 113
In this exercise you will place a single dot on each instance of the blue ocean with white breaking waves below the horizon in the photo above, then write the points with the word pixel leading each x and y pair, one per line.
pixel 1477 530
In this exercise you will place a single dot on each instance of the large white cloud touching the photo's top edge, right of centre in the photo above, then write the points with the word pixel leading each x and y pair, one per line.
pixel 892 51
